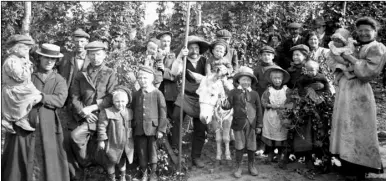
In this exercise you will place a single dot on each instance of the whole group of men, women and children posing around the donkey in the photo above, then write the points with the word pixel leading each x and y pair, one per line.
pixel 122 123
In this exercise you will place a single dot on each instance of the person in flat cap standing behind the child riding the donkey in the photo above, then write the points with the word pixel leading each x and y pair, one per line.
pixel 231 55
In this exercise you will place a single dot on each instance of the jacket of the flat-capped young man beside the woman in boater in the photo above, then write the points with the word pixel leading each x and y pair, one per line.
pixel 86 93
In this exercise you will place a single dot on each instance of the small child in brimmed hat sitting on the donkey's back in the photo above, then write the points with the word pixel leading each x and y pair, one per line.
pixel 218 49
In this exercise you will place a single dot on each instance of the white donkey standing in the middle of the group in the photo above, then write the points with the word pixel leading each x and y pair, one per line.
pixel 211 91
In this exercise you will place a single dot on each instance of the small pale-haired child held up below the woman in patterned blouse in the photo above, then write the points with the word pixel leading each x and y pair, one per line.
pixel 313 79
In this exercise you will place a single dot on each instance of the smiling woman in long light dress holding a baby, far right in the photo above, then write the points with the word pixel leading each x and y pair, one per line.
pixel 354 131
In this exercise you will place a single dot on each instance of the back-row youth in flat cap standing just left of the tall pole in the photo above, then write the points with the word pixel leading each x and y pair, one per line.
pixel 169 84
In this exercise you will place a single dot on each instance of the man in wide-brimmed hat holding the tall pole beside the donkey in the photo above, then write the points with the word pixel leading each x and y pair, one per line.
pixel 196 63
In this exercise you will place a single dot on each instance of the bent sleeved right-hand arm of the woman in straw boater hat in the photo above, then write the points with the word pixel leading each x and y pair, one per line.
pixel 58 97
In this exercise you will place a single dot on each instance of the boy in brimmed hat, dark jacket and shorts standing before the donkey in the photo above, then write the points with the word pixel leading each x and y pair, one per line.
pixel 247 118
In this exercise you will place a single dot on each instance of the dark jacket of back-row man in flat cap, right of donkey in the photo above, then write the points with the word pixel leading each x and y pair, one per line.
pixel 285 54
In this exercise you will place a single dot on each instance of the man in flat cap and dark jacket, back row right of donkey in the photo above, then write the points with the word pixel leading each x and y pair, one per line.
pixel 294 39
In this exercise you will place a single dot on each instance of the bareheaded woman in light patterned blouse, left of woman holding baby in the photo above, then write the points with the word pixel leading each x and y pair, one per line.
pixel 319 54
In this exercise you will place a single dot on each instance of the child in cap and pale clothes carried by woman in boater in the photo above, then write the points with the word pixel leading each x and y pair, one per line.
pixel 18 92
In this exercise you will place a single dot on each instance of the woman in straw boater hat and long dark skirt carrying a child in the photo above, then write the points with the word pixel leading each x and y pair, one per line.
pixel 39 155
